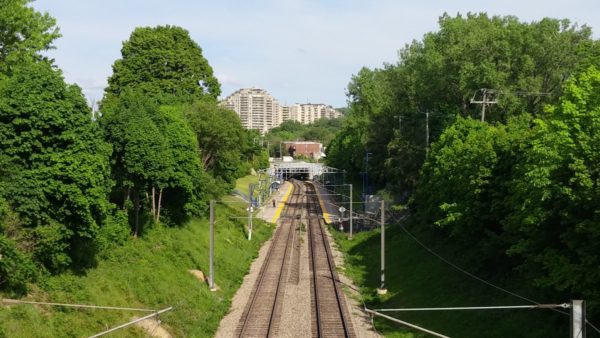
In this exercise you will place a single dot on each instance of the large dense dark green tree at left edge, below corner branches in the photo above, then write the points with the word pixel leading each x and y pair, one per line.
pixel 57 168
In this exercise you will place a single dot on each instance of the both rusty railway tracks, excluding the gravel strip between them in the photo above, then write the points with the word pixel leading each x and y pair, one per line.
pixel 329 317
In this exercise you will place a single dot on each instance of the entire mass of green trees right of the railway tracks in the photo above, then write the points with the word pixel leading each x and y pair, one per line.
pixel 521 184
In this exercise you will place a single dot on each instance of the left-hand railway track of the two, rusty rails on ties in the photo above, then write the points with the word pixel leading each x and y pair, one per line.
pixel 263 310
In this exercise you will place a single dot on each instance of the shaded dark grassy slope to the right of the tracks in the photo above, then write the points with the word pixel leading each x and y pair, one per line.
pixel 416 278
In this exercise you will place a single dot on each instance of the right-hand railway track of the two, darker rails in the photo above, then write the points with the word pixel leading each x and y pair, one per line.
pixel 329 311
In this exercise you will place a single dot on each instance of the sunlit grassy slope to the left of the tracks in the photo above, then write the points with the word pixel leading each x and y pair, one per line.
pixel 150 272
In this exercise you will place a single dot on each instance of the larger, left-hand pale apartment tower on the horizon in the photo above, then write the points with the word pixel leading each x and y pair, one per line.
pixel 256 108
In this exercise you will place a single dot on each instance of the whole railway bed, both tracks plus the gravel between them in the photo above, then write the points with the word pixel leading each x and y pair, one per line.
pixel 296 293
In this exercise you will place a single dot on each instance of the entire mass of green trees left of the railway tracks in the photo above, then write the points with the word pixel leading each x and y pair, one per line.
pixel 73 184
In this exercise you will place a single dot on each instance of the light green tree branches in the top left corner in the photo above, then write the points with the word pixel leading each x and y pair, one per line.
pixel 24 33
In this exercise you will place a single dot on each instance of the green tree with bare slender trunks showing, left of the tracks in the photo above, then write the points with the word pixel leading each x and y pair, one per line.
pixel 155 159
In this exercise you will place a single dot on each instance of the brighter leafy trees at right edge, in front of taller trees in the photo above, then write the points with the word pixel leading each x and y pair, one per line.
pixel 529 196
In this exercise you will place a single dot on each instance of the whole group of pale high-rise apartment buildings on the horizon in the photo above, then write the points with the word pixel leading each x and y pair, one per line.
pixel 257 109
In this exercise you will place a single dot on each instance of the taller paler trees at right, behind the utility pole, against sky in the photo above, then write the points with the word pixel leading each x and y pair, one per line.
pixel 525 63
